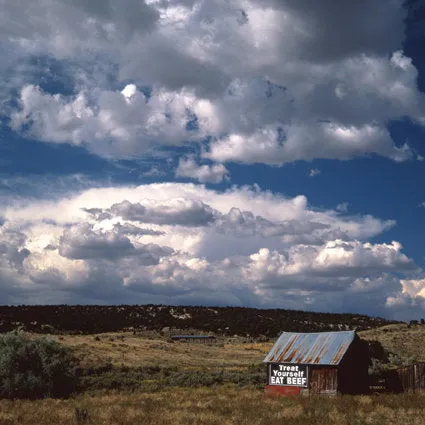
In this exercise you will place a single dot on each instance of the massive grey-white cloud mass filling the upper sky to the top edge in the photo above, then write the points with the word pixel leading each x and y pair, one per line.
pixel 270 82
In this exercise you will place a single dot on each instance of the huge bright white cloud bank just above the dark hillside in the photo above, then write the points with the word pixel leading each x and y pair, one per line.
pixel 187 243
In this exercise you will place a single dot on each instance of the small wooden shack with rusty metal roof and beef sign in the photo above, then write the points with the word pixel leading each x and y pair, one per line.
pixel 317 363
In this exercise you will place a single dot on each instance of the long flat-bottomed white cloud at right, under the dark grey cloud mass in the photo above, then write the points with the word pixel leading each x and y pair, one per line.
pixel 302 142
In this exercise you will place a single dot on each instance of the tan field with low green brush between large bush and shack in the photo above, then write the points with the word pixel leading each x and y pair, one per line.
pixel 152 362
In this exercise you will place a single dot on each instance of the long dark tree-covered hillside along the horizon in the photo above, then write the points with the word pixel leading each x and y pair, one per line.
pixel 220 320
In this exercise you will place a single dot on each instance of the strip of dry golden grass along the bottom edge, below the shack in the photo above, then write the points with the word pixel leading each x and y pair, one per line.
pixel 219 405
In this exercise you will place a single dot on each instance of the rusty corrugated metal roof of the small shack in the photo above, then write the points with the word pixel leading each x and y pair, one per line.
pixel 324 348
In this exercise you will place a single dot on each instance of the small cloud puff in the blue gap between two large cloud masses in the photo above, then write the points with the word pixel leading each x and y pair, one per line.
pixel 215 173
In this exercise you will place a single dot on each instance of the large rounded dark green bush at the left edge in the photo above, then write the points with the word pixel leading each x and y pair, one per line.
pixel 35 368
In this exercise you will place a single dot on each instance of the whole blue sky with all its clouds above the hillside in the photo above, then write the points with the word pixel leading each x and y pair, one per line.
pixel 212 152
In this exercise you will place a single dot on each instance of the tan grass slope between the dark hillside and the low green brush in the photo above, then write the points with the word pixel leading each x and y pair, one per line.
pixel 127 349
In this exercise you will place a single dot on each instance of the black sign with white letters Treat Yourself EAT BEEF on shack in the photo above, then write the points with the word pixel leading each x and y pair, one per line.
pixel 283 374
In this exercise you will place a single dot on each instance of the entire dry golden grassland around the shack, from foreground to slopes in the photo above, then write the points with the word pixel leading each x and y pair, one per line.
pixel 215 403
